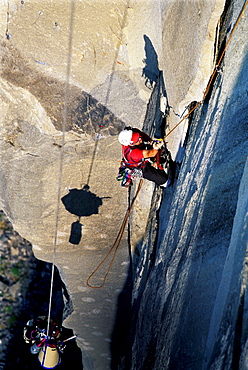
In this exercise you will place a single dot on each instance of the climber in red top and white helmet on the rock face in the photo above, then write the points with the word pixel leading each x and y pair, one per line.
pixel 139 151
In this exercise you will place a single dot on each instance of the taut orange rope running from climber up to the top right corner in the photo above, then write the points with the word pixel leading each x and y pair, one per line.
pixel 215 71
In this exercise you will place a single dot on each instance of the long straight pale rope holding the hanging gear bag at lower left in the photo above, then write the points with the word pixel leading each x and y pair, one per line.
pixel 66 99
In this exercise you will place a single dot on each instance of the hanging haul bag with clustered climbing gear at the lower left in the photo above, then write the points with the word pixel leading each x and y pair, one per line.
pixel 48 347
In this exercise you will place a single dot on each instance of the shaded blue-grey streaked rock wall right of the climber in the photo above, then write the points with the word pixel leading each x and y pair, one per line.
pixel 190 289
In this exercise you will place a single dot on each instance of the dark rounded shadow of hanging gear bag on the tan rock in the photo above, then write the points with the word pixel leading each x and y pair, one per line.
pixel 82 203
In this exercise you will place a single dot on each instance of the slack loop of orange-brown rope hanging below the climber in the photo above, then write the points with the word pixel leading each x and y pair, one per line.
pixel 116 244
